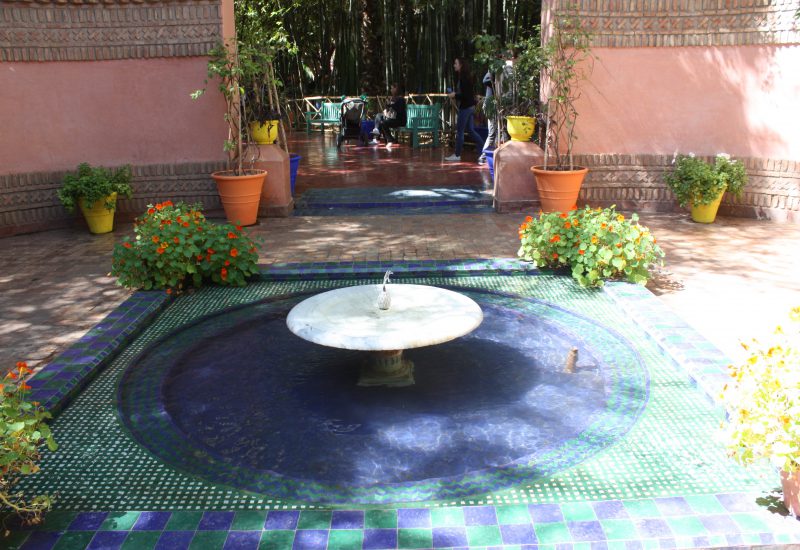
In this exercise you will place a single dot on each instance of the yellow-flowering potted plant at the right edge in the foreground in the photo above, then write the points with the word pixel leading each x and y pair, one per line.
pixel 762 401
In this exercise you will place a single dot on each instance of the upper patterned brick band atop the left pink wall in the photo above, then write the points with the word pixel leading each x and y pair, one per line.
pixel 103 30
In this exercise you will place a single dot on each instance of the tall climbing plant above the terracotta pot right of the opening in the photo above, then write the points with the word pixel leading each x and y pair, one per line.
pixel 566 61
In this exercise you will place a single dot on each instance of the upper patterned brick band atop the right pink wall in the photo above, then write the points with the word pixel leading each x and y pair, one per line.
pixel 671 23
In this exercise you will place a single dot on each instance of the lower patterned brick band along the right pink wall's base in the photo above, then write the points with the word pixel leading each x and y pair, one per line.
pixel 636 182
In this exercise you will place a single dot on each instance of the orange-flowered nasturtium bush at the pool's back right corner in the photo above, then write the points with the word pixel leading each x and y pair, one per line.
pixel 596 244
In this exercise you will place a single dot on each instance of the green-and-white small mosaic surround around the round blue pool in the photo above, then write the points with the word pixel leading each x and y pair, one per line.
pixel 668 452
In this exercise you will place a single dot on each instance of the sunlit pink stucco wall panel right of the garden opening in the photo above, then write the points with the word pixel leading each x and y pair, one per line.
pixel 742 100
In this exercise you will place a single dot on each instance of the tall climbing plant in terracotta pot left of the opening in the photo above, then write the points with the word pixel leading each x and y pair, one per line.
pixel 239 187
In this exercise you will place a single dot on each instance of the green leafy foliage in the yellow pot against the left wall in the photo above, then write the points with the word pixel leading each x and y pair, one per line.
pixel 92 184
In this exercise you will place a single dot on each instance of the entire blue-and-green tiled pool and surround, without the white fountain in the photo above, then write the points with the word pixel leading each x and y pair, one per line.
pixel 624 454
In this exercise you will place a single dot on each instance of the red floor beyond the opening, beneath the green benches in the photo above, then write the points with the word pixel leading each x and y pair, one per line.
pixel 354 165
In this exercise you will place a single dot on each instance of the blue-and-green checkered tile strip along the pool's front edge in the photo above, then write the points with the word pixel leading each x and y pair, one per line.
pixel 723 520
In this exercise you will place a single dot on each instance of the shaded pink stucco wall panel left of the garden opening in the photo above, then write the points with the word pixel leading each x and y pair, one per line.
pixel 55 115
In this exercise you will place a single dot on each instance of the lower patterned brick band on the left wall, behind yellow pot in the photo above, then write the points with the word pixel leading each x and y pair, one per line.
pixel 28 202
